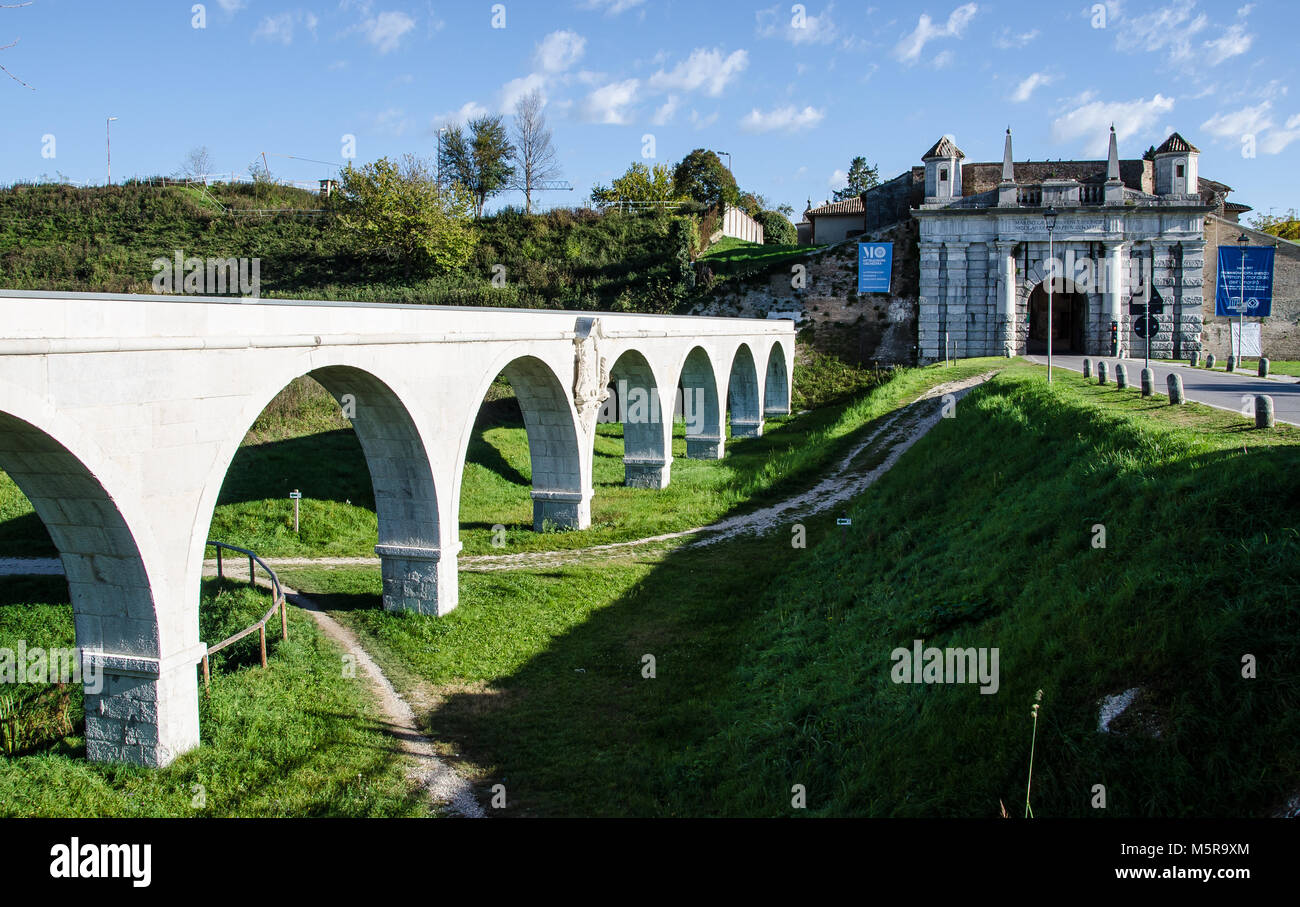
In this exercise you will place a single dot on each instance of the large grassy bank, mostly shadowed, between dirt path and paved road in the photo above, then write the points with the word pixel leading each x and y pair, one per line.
pixel 774 663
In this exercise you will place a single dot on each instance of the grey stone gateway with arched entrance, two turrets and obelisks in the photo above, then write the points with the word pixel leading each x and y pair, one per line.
pixel 1133 229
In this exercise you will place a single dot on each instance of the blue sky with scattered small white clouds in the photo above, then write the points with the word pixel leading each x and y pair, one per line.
pixel 791 90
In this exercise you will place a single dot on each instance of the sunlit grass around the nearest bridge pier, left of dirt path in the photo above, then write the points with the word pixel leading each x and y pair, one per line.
pixel 297 739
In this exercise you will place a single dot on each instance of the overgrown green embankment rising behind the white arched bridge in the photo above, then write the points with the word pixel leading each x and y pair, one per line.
pixel 55 237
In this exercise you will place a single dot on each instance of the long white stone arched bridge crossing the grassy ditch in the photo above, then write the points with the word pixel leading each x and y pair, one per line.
pixel 120 416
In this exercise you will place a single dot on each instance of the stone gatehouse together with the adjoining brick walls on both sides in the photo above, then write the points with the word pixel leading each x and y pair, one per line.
pixel 1133 238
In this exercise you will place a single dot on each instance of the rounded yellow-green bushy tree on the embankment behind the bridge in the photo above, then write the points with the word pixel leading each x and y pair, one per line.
pixel 401 211
